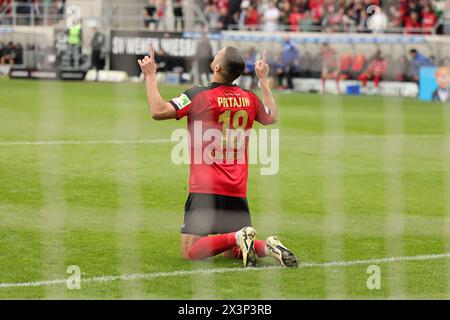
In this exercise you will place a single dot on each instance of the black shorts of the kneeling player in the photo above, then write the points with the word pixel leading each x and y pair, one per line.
pixel 206 214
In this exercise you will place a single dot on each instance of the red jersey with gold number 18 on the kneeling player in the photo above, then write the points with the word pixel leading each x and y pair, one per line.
pixel 212 109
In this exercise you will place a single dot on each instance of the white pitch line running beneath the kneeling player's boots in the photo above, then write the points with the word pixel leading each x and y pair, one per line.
pixel 183 273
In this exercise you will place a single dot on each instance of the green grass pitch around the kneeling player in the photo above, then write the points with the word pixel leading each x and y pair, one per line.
pixel 360 178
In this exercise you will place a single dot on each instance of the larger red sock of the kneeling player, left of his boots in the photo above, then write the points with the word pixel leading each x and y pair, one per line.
pixel 211 246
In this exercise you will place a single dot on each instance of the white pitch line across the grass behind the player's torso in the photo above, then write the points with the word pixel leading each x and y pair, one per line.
pixel 151 141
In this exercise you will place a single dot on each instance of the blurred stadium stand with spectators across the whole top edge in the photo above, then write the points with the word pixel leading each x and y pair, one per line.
pixel 403 16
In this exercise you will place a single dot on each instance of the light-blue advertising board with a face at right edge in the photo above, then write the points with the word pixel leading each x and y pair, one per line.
pixel 435 84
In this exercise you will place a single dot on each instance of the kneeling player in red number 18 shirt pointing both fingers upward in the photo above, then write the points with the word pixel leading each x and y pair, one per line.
pixel 217 202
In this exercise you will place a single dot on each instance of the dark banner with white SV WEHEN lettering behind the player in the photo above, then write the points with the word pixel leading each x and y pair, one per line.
pixel 128 46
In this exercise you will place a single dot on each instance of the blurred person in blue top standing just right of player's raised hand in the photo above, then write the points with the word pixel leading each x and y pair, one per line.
pixel 289 64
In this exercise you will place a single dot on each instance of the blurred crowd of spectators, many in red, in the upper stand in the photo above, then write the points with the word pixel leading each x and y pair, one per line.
pixel 409 16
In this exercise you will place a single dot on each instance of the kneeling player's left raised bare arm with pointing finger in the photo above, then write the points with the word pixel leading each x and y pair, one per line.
pixel 160 109
